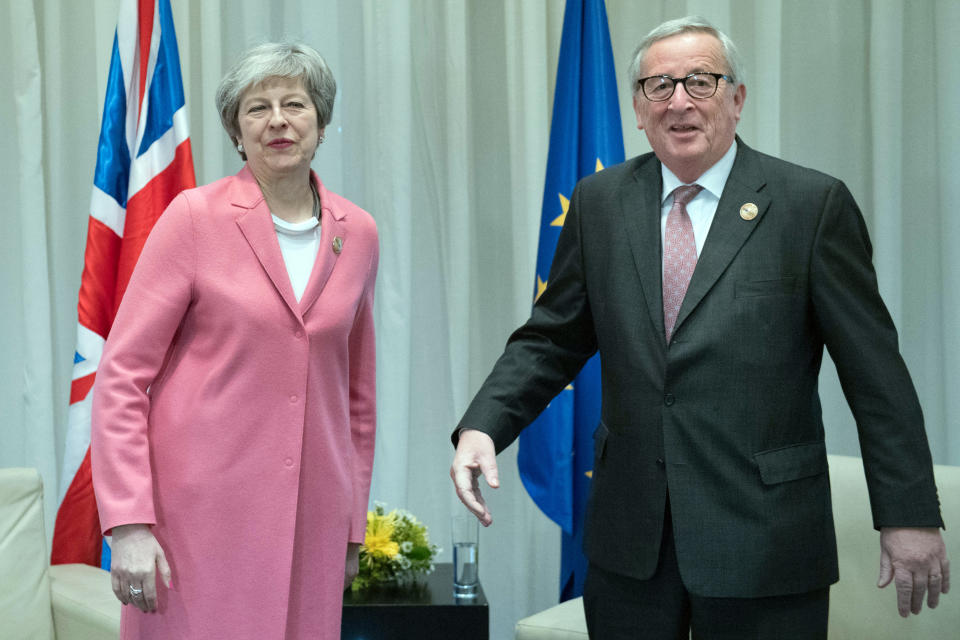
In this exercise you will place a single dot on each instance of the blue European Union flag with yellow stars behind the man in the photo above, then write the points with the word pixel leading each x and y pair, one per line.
pixel 556 451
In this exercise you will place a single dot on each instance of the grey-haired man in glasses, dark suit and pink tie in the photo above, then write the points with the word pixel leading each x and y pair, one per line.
pixel 710 277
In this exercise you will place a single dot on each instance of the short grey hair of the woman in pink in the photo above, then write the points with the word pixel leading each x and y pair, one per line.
pixel 272 60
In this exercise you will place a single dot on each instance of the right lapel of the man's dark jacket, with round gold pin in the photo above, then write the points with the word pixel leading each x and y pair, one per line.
pixel 728 231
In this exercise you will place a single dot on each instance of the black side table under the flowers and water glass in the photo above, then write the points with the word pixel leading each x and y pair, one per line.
pixel 426 612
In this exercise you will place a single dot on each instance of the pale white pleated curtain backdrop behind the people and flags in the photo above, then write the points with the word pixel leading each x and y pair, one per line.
pixel 440 131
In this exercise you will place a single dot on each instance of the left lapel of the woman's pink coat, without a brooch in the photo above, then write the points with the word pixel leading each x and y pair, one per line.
pixel 256 225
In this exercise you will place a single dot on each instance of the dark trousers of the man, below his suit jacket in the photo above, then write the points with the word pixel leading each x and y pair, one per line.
pixel 619 608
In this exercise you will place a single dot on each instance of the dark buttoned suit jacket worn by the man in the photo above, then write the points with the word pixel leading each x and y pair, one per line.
pixel 727 417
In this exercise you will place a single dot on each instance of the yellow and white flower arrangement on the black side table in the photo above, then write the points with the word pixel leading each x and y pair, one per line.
pixel 396 549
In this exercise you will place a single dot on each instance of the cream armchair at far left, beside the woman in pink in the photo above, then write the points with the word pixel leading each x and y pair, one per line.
pixel 39 601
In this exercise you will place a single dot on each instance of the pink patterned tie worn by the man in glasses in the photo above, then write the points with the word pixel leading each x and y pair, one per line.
pixel 679 255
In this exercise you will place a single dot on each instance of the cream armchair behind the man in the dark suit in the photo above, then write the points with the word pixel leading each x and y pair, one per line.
pixel 857 609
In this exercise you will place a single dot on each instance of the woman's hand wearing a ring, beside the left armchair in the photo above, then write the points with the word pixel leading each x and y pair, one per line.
pixel 135 558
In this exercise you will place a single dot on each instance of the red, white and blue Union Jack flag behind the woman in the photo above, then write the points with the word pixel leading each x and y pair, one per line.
pixel 143 161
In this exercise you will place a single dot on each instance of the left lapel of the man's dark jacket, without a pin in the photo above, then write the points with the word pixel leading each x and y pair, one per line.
pixel 640 207
